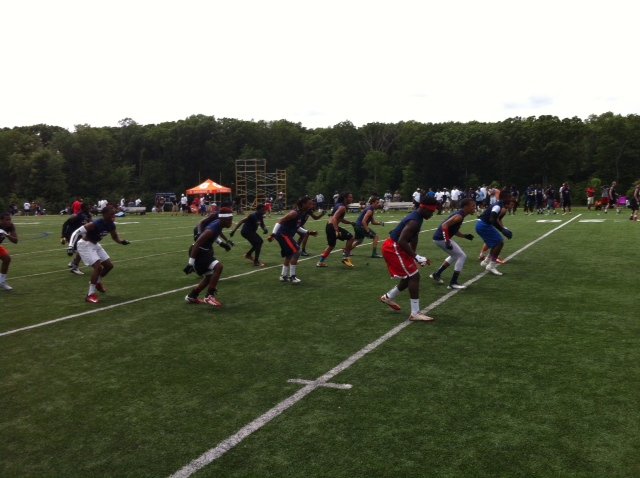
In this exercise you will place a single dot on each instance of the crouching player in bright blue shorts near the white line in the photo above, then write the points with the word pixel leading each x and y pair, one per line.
pixel 487 227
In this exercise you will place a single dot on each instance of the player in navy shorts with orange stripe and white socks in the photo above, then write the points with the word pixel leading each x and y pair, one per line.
pixel 284 231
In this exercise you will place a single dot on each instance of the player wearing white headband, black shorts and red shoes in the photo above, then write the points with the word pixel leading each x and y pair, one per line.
pixel 203 262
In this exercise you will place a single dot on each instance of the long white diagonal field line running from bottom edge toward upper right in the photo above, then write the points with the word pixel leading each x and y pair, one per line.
pixel 224 446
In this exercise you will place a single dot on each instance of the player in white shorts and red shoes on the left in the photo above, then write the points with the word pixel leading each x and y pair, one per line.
pixel 86 240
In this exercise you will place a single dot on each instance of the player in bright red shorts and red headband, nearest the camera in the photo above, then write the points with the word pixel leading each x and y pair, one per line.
pixel 399 252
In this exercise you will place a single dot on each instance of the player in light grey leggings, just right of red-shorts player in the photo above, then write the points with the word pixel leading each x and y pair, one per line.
pixel 443 238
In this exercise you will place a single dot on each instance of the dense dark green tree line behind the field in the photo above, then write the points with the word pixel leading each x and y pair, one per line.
pixel 52 165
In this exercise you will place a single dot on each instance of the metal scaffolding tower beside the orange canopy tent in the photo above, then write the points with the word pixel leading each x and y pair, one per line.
pixel 254 185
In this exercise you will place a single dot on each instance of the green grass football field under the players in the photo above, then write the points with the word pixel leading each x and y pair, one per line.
pixel 535 373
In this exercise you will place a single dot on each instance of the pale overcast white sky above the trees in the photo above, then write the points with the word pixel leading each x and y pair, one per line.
pixel 318 63
